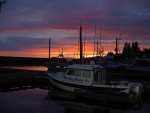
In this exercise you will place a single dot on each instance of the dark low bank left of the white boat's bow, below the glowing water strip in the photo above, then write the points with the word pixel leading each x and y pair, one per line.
pixel 19 78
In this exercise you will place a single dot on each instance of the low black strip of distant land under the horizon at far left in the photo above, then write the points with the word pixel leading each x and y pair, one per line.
pixel 22 61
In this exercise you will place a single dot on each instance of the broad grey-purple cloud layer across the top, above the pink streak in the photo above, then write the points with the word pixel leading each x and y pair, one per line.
pixel 68 12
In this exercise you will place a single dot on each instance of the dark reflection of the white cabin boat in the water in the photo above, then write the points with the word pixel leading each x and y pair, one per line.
pixel 88 106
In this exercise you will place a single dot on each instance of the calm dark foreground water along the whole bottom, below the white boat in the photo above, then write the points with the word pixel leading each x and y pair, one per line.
pixel 36 101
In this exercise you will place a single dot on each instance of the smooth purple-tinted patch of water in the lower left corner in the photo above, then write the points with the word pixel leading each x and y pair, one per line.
pixel 27 101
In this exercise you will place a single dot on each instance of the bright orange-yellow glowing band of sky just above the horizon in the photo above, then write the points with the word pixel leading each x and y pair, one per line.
pixel 68 52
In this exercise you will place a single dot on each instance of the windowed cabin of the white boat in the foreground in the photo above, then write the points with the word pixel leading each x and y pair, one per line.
pixel 85 74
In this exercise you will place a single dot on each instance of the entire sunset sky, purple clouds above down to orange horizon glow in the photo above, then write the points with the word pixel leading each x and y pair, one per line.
pixel 27 25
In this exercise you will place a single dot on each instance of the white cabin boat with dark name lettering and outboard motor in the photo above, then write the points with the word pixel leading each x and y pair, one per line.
pixel 89 77
